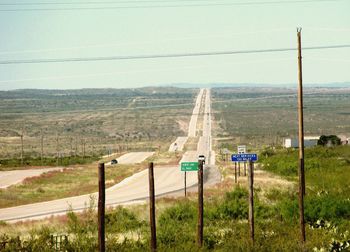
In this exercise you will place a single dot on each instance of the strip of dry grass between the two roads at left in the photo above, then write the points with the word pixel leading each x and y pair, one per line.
pixel 74 181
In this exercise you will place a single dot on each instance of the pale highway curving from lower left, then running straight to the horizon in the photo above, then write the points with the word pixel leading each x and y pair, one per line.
pixel 168 179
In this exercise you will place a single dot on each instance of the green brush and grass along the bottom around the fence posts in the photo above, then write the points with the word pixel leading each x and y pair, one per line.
pixel 226 228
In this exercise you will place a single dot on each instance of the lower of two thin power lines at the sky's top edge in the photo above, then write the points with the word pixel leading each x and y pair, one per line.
pixel 166 6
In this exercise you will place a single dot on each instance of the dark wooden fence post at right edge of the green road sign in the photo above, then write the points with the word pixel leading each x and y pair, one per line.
pixel 200 205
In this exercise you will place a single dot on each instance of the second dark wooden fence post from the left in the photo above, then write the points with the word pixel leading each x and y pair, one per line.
pixel 152 208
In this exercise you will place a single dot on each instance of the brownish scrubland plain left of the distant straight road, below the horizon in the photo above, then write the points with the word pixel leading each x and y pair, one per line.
pixel 91 121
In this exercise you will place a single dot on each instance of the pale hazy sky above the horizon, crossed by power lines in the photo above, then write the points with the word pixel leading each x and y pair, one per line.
pixel 138 30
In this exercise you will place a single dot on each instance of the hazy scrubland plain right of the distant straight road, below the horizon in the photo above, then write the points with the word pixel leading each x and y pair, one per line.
pixel 264 116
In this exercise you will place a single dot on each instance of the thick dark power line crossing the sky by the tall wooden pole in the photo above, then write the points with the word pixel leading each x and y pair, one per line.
pixel 159 56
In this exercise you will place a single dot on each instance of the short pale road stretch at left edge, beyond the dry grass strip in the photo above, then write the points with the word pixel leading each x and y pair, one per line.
pixel 8 178
